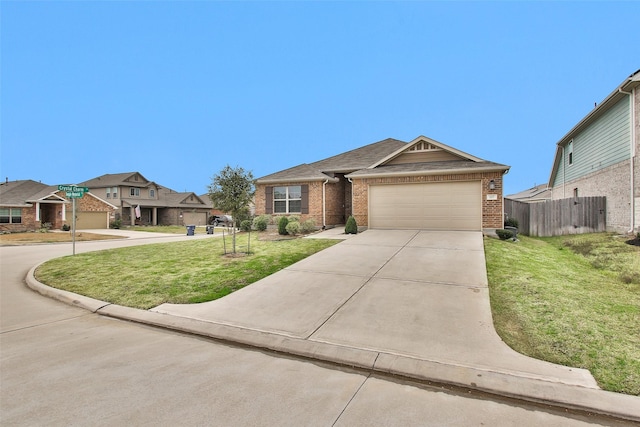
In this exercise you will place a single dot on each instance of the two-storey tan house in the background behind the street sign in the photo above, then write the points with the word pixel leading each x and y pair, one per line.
pixel 144 202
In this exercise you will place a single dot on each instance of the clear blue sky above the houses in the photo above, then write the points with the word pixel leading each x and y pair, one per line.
pixel 176 90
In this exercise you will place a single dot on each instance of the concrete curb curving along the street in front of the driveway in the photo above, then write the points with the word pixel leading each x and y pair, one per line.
pixel 556 394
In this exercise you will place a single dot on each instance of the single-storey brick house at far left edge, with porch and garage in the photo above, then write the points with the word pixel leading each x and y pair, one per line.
pixel 25 205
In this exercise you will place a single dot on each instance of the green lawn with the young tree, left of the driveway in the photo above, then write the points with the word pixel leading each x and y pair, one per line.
pixel 181 272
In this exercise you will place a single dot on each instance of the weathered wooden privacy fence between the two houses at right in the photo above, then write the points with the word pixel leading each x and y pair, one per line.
pixel 558 217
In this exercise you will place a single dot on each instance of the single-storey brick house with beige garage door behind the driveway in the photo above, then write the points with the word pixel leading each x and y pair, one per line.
pixel 390 184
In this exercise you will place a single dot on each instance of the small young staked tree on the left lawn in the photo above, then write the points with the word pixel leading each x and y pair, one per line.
pixel 231 191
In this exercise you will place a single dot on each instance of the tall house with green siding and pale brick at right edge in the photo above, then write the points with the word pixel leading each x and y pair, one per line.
pixel 599 157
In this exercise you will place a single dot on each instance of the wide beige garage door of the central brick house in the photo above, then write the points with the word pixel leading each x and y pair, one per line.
pixel 430 206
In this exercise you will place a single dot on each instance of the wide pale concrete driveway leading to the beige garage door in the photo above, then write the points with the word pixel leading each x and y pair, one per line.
pixel 422 295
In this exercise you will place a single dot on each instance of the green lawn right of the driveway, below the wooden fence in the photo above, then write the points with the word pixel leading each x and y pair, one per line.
pixel 571 300
